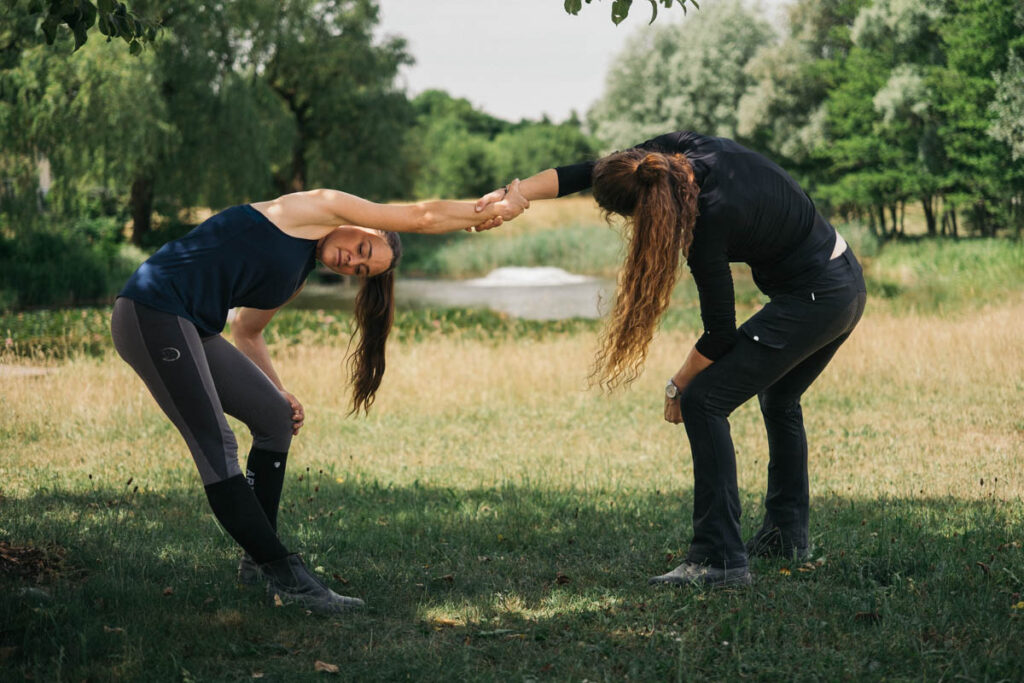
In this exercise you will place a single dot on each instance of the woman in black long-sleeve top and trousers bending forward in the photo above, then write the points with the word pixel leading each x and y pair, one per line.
pixel 716 202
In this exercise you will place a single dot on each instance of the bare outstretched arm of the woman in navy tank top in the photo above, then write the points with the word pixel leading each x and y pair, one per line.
pixel 311 214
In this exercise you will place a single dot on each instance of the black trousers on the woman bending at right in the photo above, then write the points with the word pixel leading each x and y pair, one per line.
pixel 781 352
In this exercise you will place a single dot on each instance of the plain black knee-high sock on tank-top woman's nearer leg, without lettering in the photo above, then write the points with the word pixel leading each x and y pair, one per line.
pixel 241 515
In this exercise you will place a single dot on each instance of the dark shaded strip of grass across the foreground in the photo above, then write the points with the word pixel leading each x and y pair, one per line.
pixel 515 582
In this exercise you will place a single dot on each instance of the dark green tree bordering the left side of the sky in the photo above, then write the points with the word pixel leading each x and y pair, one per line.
pixel 321 61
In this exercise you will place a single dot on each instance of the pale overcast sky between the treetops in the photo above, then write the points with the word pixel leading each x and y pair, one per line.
pixel 516 59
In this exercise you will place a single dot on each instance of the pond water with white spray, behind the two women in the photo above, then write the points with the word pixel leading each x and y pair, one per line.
pixel 537 293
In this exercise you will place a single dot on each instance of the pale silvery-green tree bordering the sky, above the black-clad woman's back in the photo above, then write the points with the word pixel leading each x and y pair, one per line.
pixel 690 76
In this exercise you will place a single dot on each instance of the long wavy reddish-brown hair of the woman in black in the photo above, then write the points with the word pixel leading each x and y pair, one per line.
pixel 658 194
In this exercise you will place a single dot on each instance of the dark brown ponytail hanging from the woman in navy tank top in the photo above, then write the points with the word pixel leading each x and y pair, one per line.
pixel 374 316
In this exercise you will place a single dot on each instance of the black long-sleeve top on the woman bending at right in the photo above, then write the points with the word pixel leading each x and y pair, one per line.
pixel 750 211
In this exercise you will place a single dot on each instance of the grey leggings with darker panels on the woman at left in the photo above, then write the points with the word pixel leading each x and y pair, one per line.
pixel 196 381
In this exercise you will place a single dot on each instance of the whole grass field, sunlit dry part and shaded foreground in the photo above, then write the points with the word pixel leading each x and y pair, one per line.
pixel 501 522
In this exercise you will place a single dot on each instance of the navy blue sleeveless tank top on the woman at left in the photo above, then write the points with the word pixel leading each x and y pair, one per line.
pixel 234 259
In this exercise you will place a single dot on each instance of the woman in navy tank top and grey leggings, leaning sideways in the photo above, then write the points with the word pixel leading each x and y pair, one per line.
pixel 254 259
